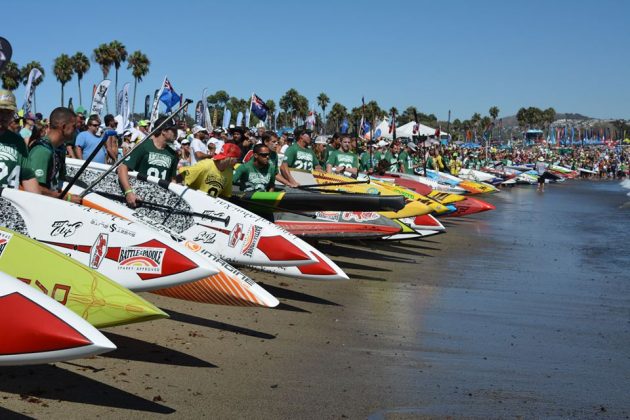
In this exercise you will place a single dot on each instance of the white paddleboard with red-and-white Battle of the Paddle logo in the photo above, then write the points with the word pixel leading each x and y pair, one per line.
pixel 126 252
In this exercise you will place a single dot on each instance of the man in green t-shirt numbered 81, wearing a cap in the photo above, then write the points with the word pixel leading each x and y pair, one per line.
pixel 153 157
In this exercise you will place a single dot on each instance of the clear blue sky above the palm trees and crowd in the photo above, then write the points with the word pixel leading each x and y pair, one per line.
pixel 465 56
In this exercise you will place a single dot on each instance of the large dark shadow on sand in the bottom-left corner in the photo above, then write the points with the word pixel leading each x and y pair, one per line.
pixel 54 383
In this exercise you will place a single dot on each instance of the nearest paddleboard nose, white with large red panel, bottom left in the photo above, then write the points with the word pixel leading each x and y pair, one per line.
pixel 36 329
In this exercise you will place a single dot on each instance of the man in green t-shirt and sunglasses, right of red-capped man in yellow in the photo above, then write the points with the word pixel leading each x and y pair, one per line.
pixel 258 174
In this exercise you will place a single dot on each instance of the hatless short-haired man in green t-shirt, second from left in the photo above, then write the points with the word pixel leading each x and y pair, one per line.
pixel 47 157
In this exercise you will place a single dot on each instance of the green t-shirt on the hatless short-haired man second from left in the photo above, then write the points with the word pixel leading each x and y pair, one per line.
pixel 48 164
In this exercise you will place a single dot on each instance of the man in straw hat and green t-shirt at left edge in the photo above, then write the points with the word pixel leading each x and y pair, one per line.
pixel 14 170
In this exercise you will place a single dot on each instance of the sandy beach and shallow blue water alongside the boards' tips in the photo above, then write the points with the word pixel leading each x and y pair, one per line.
pixel 523 311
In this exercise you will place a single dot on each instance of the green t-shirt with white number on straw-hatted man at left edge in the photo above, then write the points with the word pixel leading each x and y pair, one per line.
pixel 13 160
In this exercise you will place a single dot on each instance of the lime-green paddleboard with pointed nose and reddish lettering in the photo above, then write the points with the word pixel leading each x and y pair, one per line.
pixel 89 294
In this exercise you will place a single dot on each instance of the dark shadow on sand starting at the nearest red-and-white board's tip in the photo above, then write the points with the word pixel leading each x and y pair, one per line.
pixel 142 351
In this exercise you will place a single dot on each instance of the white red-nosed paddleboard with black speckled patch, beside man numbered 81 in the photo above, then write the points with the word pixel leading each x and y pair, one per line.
pixel 230 232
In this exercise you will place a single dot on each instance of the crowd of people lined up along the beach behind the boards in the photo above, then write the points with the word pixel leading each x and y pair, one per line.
pixel 34 150
